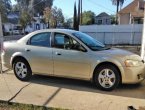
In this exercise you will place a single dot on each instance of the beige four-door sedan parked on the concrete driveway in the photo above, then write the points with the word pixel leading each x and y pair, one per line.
pixel 72 54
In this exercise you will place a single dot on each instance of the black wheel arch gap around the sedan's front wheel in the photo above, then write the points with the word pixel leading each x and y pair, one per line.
pixel 107 63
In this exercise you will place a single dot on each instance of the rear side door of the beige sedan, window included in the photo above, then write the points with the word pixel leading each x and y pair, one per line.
pixel 39 53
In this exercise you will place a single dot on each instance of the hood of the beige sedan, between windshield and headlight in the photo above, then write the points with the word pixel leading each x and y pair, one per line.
pixel 119 53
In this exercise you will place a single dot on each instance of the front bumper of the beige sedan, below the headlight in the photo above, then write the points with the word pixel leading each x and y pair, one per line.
pixel 133 75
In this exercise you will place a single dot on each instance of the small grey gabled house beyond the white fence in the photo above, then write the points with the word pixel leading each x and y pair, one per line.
pixel 103 19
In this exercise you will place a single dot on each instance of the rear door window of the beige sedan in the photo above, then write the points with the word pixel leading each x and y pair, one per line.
pixel 42 39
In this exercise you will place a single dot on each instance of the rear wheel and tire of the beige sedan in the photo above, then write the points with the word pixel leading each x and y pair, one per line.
pixel 22 69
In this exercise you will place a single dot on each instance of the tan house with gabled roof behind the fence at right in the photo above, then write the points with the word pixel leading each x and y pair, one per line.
pixel 132 14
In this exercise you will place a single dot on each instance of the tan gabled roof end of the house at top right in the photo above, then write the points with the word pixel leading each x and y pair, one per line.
pixel 132 7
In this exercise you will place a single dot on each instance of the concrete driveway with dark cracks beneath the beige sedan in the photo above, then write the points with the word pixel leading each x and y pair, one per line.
pixel 69 94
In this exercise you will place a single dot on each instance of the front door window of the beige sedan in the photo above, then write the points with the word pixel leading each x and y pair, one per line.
pixel 64 42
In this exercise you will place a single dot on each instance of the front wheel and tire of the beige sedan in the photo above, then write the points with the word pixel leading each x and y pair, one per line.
pixel 104 81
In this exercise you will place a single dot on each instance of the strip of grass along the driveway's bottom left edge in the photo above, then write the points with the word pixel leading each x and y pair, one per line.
pixel 17 106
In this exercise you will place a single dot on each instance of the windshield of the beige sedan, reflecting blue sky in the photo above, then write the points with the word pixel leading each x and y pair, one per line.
pixel 92 43
